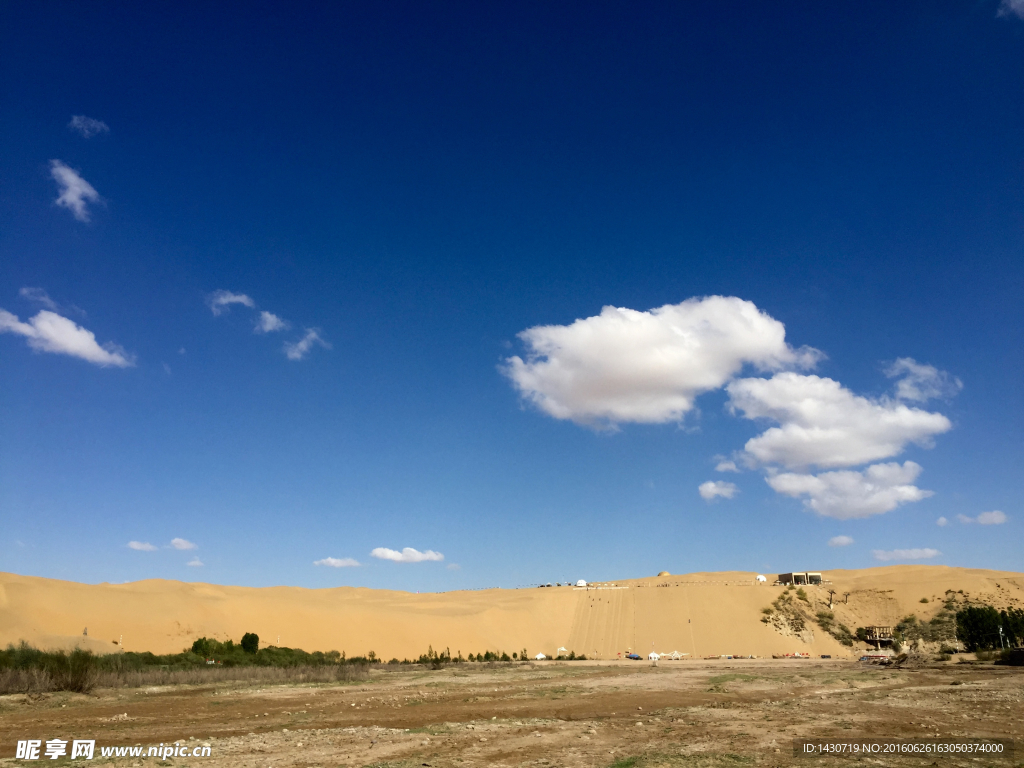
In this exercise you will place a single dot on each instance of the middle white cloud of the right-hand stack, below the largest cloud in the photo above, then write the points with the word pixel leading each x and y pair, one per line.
pixel 825 424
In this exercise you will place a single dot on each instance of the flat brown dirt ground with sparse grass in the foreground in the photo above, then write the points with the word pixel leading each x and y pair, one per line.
pixel 697 714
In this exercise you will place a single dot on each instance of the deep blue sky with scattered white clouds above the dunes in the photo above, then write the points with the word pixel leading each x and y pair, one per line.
pixel 295 284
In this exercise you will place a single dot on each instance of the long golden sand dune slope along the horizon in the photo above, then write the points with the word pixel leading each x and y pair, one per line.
pixel 697 614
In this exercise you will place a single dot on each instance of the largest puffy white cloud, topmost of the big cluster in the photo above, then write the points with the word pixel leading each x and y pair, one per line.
pixel 629 366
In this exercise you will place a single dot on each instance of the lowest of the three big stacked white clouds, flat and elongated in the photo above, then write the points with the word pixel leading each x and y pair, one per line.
pixel 847 495
